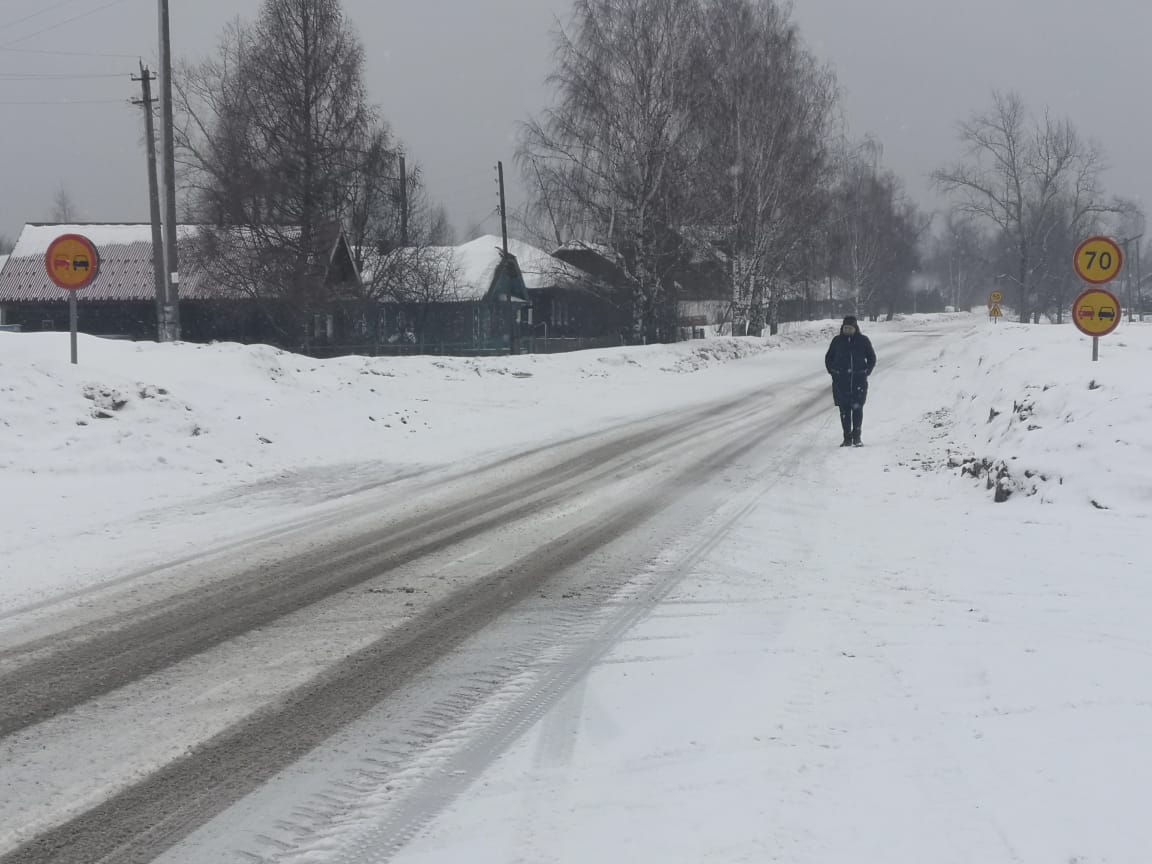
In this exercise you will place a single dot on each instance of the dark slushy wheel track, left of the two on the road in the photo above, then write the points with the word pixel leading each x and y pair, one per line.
pixel 63 671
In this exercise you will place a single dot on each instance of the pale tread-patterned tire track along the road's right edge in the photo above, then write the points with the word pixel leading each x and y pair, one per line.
pixel 374 828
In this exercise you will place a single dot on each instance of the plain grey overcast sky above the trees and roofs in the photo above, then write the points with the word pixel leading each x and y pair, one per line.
pixel 454 78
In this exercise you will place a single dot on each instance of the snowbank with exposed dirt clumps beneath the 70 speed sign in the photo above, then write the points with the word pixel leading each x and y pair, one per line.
pixel 1028 405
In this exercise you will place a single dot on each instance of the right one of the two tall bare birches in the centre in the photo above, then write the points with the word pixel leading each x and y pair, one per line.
pixel 766 117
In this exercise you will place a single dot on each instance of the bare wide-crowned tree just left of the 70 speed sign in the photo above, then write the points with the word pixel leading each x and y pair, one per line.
pixel 1018 175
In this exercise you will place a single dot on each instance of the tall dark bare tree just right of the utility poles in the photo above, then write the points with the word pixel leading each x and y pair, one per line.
pixel 271 140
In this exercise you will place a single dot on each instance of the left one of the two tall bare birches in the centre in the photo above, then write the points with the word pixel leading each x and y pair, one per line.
pixel 616 149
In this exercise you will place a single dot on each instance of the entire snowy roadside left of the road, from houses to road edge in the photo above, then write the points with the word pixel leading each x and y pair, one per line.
pixel 145 451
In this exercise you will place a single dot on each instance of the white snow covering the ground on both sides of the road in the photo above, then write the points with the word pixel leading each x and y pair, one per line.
pixel 876 662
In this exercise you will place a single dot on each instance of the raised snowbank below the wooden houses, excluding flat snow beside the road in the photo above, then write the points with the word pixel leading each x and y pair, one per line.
pixel 229 408
